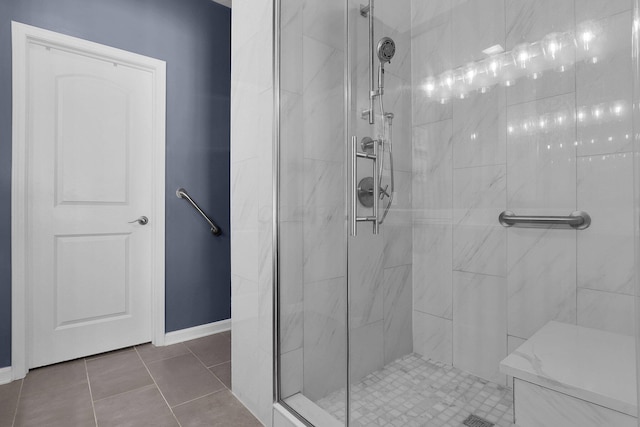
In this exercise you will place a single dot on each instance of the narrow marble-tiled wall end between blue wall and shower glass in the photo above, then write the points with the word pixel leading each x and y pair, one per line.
pixel 251 206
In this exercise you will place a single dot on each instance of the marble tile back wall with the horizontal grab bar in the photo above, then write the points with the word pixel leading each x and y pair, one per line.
pixel 550 145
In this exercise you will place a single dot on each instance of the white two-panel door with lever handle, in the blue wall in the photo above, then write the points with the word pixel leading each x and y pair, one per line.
pixel 89 175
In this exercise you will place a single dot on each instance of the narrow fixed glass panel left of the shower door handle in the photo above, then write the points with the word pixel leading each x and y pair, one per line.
pixel 313 291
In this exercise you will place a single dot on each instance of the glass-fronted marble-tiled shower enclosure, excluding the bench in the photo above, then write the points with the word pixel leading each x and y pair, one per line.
pixel 406 129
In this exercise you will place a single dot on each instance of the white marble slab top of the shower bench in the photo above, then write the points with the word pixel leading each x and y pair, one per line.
pixel 589 364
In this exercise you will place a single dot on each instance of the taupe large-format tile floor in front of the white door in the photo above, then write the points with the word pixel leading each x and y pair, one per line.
pixel 183 385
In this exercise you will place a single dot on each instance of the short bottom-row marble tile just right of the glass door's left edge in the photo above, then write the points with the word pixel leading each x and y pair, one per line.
pixel 366 350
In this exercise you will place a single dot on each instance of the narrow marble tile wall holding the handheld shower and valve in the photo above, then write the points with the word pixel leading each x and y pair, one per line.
pixel 380 265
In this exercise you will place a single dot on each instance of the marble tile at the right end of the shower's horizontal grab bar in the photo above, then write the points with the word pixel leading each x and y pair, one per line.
pixel 606 248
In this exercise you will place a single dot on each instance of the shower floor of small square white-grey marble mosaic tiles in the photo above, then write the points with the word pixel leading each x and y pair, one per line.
pixel 413 391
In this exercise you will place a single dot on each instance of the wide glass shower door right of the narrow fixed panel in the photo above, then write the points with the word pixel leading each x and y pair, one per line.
pixel 497 106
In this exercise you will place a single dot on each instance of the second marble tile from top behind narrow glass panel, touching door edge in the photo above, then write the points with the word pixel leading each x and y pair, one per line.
pixel 323 101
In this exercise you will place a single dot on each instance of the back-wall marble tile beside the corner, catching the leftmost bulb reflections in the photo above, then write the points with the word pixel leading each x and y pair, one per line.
pixel 430 55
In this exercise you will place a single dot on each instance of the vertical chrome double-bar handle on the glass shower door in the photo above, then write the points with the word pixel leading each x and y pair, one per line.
pixel 355 154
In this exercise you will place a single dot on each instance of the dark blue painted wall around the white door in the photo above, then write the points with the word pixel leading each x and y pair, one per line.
pixel 194 38
